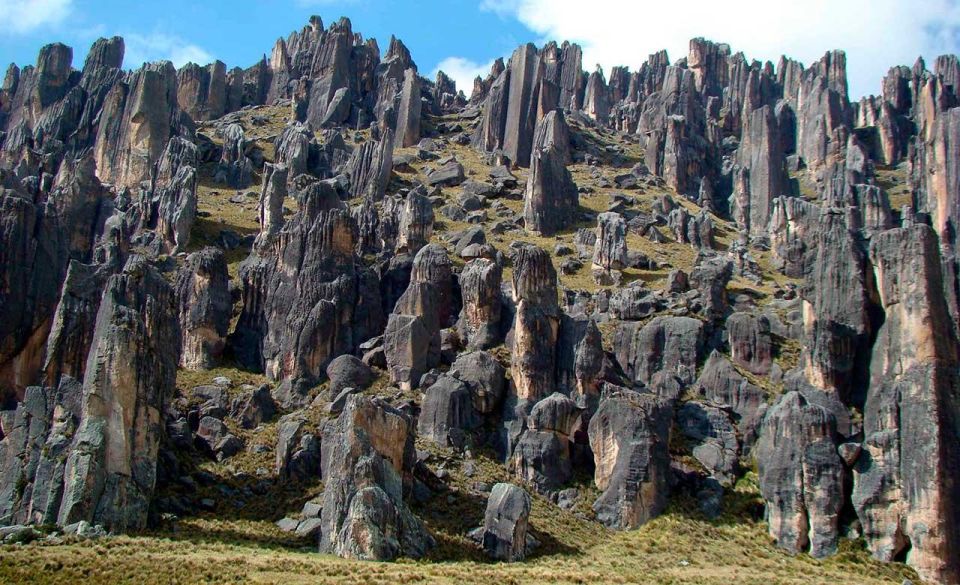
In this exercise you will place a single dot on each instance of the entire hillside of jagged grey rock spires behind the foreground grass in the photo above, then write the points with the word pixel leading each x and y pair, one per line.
pixel 621 290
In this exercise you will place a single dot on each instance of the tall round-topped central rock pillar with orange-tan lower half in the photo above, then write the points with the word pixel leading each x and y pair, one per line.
pixel 536 323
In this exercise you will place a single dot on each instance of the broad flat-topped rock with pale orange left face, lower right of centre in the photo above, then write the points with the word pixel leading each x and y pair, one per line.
pixel 629 436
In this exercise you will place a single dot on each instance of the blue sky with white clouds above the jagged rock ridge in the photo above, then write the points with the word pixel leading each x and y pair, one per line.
pixel 464 36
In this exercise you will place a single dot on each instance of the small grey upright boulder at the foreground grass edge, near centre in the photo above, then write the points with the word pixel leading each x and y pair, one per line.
pixel 505 523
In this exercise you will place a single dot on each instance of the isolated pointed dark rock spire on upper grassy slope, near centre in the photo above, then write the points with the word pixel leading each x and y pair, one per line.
pixel 551 199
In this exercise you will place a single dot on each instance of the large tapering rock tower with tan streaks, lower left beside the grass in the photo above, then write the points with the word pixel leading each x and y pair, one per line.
pixel 110 471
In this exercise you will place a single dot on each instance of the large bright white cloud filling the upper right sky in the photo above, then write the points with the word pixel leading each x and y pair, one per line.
pixel 876 34
